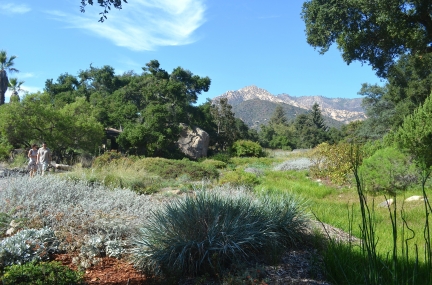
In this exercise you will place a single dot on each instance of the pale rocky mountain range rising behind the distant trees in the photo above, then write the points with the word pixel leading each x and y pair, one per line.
pixel 255 106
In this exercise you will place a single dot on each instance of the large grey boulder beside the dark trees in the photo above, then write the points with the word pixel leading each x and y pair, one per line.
pixel 193 141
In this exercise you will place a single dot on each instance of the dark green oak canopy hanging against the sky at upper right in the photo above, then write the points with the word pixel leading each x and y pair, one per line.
pixel 374 32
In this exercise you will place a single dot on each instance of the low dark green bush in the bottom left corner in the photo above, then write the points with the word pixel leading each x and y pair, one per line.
pixel 53 273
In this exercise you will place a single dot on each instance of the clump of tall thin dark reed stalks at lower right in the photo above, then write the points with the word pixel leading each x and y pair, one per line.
pixel 394 268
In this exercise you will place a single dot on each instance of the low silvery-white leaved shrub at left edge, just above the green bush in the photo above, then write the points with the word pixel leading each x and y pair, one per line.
pixel 27 245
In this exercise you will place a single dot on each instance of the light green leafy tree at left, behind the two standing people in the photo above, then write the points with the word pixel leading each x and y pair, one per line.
pixel 66 128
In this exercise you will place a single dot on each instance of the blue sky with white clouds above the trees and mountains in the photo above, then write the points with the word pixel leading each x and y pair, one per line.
pixel 236 43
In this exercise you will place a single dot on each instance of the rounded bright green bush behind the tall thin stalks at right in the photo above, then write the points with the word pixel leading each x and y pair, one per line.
pixel 388 169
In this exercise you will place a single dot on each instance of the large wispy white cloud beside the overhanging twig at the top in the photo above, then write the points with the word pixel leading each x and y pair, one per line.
pixel 143 24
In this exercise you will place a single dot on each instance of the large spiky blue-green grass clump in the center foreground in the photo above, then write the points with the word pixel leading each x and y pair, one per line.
pixel 203 234
